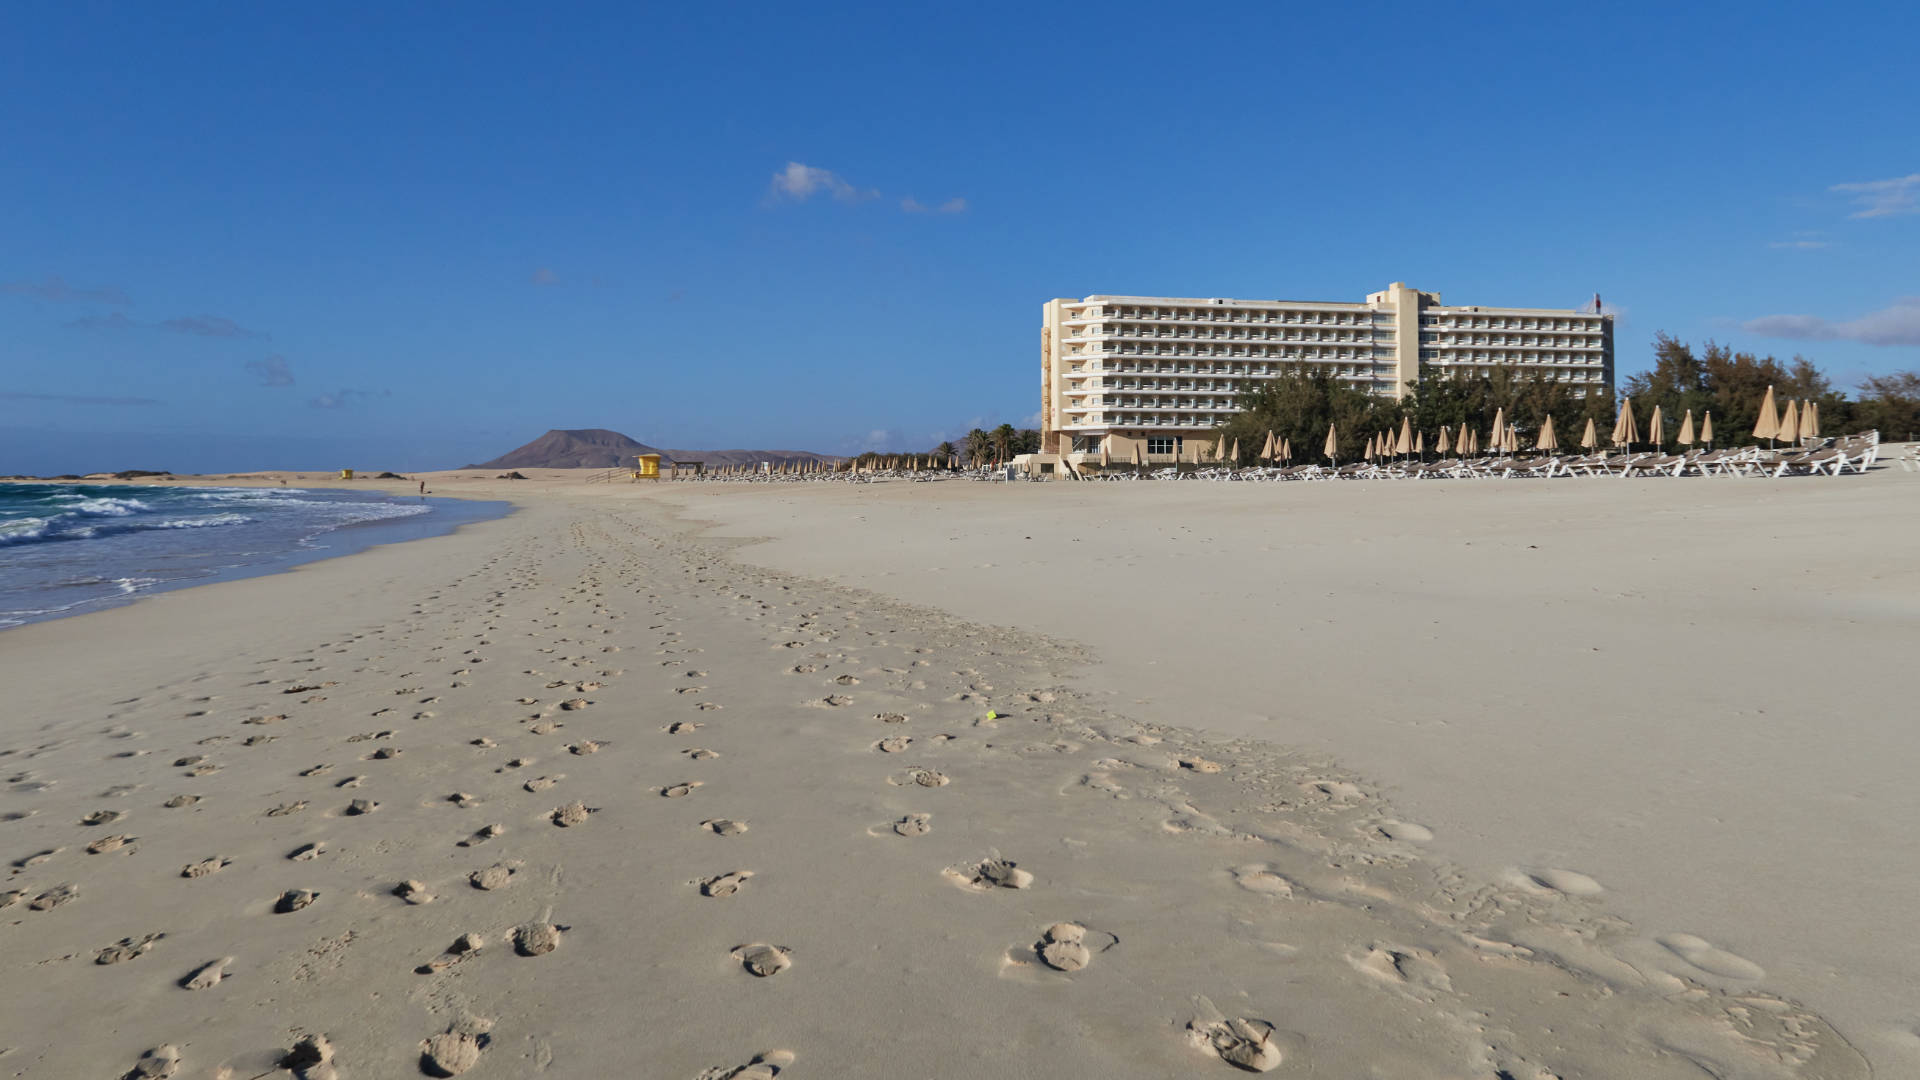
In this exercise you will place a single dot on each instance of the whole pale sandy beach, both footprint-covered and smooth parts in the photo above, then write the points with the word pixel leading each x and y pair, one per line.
pixel 1408 781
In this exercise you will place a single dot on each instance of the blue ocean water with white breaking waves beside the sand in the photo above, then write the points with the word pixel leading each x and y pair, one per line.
pixel 72 549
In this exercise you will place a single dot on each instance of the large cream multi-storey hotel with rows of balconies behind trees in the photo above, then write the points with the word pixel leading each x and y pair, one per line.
pixel 1130 370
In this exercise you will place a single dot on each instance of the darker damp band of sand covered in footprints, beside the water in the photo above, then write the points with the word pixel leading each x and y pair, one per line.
pixel 1239 877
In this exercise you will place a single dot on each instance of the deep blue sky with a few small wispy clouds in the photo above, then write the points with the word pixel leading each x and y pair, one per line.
pixel 327 235
